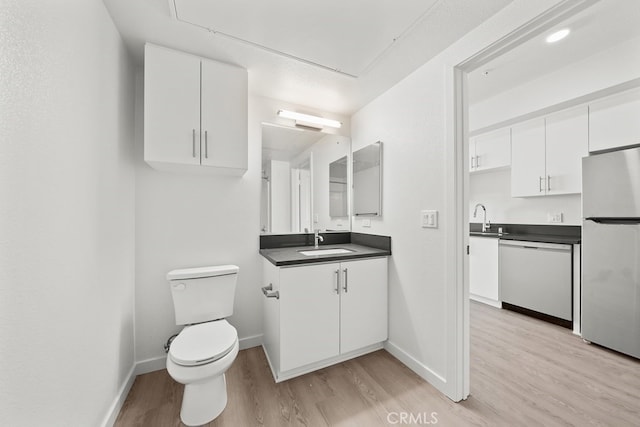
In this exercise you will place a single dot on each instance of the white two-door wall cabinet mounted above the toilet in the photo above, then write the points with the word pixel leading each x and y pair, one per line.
pixel 195 113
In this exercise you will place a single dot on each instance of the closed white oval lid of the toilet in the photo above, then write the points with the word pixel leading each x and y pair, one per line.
pixel 203 343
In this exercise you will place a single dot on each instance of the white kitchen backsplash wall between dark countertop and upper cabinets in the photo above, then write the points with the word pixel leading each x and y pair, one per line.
pixel 493 190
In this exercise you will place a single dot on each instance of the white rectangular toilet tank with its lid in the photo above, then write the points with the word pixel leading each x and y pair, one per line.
pixel 204 293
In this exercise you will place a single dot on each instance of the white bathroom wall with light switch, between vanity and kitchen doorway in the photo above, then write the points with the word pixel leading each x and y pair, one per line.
pixel 414 120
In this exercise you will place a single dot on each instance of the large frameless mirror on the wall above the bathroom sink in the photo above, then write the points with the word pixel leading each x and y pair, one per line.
pixel 305 181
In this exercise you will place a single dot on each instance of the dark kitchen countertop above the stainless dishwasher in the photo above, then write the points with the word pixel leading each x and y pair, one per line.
pixel 562 234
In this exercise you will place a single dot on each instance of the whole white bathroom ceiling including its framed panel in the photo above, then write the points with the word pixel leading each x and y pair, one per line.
pixel 330 55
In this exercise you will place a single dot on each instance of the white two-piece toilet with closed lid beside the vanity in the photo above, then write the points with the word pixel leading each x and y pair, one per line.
pixel 207 346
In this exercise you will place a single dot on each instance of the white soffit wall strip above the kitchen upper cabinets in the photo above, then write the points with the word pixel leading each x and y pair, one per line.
pixel 605 69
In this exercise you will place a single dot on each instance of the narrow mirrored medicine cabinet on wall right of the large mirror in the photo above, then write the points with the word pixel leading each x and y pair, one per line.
pixel 367 180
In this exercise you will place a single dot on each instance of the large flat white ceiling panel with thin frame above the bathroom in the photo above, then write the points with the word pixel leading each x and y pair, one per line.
pixel 344 36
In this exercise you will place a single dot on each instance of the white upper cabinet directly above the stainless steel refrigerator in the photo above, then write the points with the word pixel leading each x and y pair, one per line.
pixel 615 121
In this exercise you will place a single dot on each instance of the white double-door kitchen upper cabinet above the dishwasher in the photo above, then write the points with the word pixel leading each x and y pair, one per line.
pixel 547 154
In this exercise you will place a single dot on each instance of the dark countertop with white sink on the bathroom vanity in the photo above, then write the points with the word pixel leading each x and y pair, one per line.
pixel 292 256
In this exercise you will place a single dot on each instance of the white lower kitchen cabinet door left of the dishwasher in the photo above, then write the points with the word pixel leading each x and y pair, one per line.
pixel 483 267
